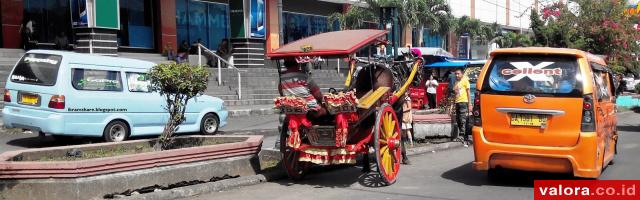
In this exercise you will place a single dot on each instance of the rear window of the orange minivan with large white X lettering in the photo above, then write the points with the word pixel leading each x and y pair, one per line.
pixel 544 75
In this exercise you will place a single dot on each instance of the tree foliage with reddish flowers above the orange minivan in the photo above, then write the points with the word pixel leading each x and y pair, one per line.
pixel 598 27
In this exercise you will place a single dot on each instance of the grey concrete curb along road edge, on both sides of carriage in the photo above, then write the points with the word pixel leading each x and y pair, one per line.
pixel 227 184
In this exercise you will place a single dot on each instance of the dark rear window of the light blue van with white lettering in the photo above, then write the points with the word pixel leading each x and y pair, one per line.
pixel 37 69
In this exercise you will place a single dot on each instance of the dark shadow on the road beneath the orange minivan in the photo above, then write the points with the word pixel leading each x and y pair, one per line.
pixel 465 174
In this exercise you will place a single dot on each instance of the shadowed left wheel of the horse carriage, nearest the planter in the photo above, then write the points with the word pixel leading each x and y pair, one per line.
pixel 295 169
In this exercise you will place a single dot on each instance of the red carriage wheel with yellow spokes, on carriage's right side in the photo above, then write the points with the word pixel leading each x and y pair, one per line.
pixel 387 143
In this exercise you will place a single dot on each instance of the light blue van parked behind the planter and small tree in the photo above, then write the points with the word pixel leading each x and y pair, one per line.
pixel 71 94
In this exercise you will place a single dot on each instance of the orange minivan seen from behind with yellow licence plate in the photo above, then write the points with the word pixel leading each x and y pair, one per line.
pixel 545 109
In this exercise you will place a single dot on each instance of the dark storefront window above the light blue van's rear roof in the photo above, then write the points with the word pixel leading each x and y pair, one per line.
pixel 50 18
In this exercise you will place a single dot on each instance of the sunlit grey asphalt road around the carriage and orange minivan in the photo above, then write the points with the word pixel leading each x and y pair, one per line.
pixel 441 175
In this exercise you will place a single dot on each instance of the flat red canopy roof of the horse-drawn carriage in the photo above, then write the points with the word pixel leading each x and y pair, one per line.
pixel 331 44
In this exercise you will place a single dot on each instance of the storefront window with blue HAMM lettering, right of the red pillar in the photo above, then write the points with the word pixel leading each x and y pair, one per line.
pixel 205 21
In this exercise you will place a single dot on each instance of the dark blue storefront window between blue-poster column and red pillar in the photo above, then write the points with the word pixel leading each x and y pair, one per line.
pixel 136 24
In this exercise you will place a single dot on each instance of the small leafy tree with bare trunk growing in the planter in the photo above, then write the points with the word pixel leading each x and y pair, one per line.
pixel 177 83
